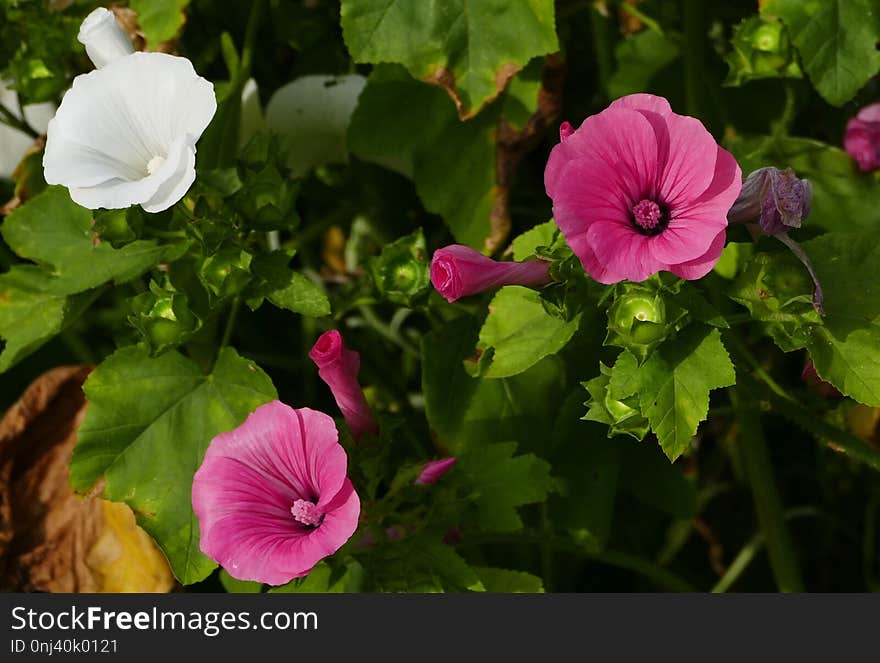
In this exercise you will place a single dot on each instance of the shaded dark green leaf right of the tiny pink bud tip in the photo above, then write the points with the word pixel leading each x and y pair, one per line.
pixel 499 482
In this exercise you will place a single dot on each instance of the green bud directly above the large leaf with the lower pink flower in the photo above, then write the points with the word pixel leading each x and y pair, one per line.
pixel 163 317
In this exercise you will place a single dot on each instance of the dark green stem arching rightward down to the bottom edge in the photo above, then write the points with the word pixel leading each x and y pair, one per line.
pixel 658 575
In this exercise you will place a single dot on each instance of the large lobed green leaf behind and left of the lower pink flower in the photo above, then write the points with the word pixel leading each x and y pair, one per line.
pixel 146 430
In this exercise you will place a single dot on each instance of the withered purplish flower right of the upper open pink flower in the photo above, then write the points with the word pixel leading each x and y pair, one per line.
pixel 775 199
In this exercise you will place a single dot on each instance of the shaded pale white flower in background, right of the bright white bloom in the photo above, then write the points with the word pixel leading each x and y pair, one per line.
pixel 315 112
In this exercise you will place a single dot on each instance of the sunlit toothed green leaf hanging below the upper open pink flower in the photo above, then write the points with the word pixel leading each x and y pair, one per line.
pixel 675 384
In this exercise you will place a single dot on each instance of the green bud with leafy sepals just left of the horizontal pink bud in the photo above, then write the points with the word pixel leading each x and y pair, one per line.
pixel 401 272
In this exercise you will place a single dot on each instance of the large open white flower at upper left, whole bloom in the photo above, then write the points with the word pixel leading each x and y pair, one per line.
pixel 125 134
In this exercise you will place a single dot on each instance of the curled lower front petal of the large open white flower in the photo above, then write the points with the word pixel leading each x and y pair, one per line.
pixel 119 193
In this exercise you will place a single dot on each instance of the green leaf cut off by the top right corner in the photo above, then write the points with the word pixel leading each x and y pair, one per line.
pixel 837 41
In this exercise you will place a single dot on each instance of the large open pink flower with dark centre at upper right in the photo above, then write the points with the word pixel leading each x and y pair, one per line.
pixel 638 189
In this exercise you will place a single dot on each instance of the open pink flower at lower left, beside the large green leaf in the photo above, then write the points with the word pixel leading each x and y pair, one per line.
pixel 272 496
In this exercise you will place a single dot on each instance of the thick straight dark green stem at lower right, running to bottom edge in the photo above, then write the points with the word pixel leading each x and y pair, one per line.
pixel 759 470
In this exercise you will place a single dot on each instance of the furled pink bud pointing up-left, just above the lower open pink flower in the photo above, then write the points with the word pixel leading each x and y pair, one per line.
pixel 339 368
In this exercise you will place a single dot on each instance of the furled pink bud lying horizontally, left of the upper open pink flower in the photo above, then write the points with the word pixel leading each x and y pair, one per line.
pixel 458 271
